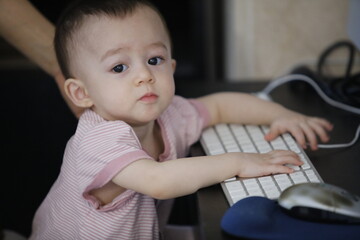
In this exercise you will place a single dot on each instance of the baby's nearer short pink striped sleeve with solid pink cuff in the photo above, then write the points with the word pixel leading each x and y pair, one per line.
pixel 104 151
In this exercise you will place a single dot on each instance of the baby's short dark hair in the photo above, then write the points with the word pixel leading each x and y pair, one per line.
pixel 73 18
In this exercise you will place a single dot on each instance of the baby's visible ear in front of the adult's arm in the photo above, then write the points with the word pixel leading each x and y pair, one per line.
pixel 76 91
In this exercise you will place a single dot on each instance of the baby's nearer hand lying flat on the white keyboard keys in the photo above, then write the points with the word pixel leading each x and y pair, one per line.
pixel 273 162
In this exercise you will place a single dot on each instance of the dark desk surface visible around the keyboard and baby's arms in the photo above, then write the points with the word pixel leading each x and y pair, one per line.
pixel 340 167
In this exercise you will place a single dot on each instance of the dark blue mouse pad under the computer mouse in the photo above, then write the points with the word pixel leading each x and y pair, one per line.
pixel 262 218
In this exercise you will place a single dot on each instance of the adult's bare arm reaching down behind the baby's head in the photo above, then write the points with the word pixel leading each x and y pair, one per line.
pixel 24 27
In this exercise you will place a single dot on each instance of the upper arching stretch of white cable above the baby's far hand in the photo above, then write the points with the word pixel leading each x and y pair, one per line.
pixel 295 77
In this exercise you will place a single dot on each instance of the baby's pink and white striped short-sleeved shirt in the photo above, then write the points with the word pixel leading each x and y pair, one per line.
pixel 94 155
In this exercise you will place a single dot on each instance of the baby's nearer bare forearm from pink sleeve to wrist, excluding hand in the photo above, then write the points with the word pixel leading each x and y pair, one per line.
pixel 177 177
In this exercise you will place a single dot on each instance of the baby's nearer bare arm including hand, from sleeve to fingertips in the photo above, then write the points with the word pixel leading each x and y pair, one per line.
pixel 174 178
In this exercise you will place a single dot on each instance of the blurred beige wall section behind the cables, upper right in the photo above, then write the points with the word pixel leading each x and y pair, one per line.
pixel 265 38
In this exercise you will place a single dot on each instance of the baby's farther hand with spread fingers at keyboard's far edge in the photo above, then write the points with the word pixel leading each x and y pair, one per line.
pixel 303 128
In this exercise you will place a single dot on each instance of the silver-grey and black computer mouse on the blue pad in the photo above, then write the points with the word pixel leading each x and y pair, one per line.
pixel 321 202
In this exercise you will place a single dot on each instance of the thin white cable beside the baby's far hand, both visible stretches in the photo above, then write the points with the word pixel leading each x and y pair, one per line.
pixel 295 77
